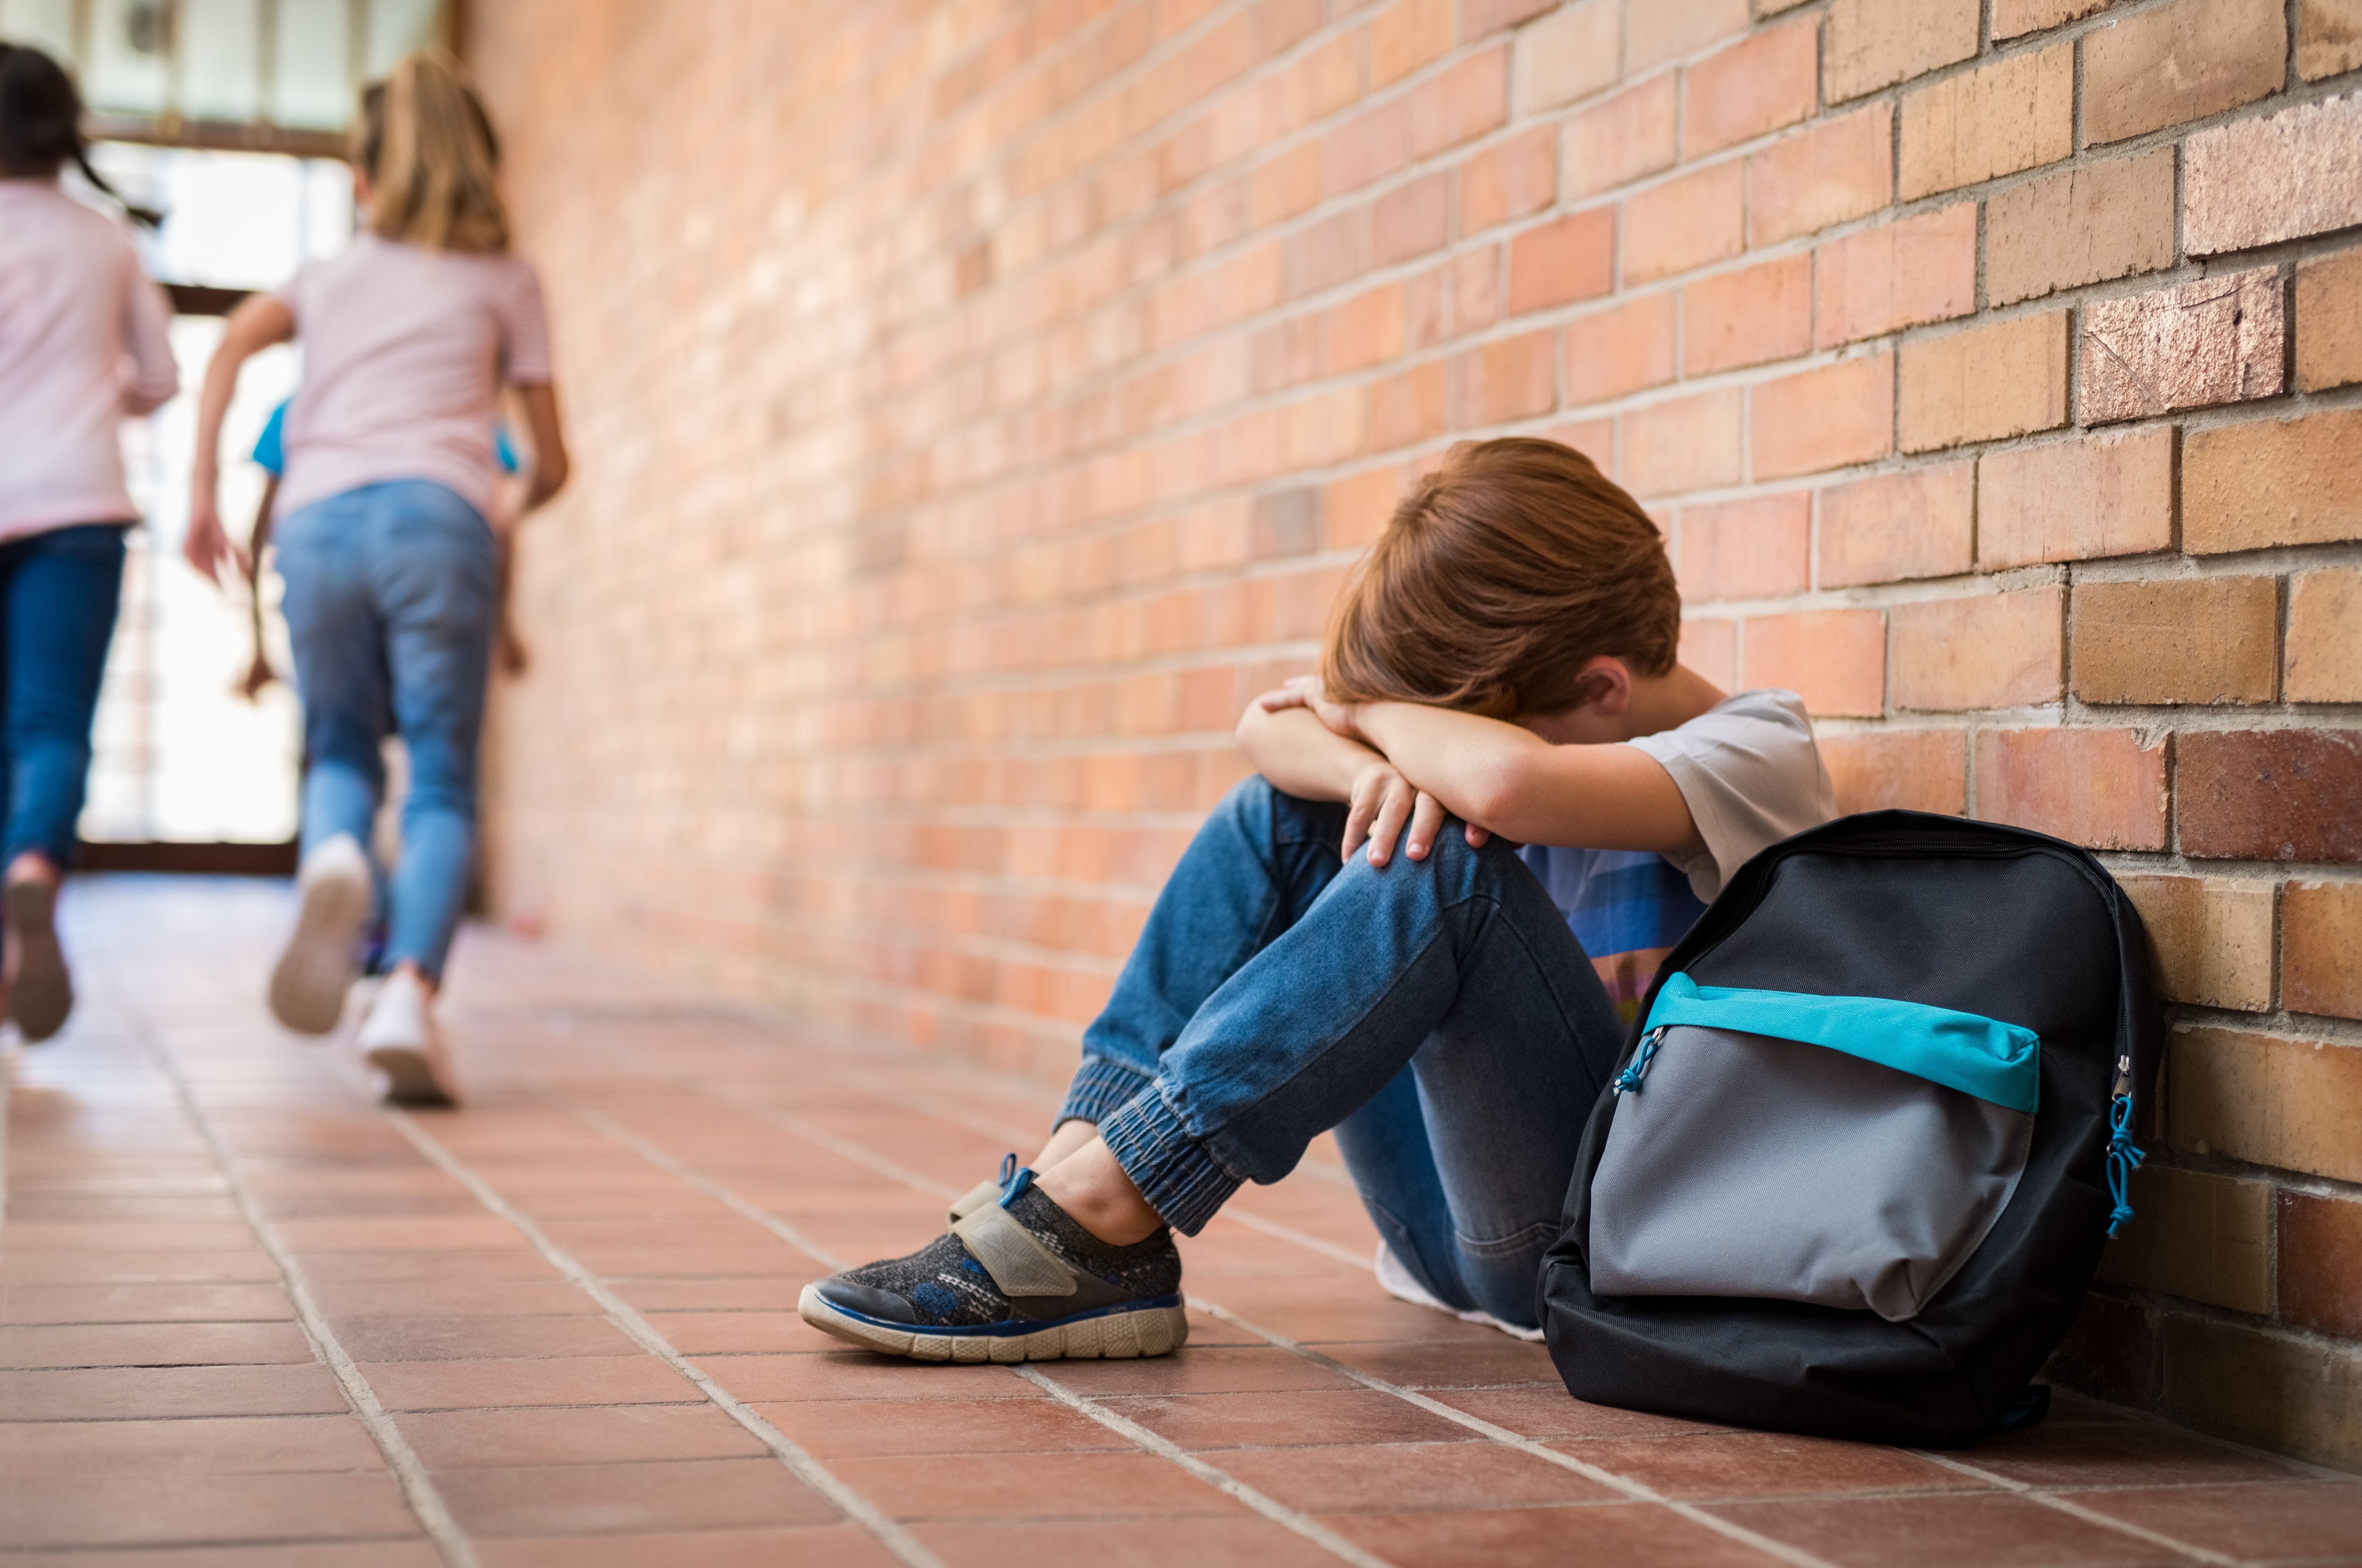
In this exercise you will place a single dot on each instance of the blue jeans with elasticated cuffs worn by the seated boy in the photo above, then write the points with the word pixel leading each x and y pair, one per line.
pixel 1437 1014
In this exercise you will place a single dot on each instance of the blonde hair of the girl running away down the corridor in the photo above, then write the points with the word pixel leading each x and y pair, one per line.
pixel 431 159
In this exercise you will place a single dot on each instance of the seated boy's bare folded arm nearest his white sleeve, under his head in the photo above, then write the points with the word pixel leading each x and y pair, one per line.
pixel 1503 778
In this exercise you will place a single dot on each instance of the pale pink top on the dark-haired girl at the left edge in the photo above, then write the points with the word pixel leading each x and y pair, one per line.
pixel 84 344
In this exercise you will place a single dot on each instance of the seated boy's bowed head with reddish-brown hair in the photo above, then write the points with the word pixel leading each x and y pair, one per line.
pixel 1515 582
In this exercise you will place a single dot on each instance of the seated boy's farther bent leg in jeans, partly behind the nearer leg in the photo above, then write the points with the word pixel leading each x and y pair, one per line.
pixel 1251 873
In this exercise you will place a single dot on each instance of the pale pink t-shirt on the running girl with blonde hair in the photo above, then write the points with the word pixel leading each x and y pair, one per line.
pixel 405 353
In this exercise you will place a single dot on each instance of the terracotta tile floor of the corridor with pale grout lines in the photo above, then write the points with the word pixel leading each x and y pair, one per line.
pixel 249 1319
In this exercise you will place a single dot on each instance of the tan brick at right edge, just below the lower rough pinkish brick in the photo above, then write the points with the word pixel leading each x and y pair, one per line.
pixel 2273 483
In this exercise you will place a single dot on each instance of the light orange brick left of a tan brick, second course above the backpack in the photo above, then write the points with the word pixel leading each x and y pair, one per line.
pixel 1988 651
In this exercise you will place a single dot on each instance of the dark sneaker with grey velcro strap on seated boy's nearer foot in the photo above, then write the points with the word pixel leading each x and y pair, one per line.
pixel 1014 1281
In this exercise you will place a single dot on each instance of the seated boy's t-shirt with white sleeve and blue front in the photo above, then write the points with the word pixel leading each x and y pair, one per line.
pixel 1751 776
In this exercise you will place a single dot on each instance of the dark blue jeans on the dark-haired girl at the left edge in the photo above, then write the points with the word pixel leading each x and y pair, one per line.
pixel 58 613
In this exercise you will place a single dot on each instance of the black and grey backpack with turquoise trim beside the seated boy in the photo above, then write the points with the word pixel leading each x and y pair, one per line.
pixel 1867 1139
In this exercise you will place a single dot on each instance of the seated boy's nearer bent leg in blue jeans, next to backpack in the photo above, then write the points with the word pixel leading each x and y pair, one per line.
pixel 1456 967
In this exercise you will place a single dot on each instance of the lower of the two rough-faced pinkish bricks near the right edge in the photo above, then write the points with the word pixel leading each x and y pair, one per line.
pixel 2212 341
